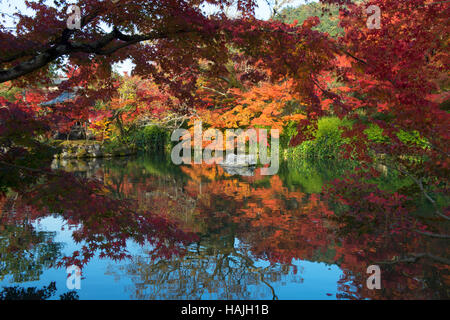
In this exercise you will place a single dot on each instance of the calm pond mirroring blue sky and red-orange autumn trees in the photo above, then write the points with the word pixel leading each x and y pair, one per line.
pixel 233 236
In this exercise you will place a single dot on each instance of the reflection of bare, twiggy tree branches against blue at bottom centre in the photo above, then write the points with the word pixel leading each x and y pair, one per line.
pixel 208 271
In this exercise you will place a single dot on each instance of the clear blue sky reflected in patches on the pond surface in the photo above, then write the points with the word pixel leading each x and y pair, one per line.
pixel 312 281
